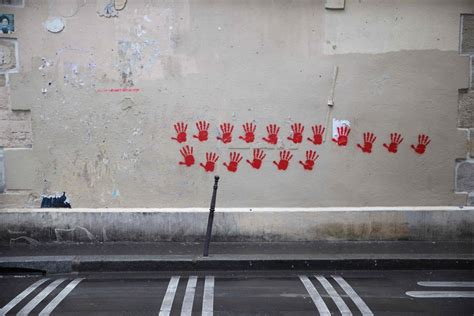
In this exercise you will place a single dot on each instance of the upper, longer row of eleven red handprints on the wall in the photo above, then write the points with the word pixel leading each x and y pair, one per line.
pixel 296 136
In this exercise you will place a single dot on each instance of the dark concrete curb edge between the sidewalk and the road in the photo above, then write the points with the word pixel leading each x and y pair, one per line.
pixel 67 264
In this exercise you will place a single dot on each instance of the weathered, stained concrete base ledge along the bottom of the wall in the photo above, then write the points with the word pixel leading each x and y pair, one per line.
pixel 112 225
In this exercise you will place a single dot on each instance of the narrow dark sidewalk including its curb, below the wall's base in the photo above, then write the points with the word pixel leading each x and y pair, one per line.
pixel 159 256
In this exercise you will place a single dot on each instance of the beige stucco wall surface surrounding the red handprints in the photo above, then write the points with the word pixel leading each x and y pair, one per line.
pixel 238 61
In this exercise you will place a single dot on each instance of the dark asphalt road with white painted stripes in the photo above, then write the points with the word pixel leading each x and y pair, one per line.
pixel 442 292
